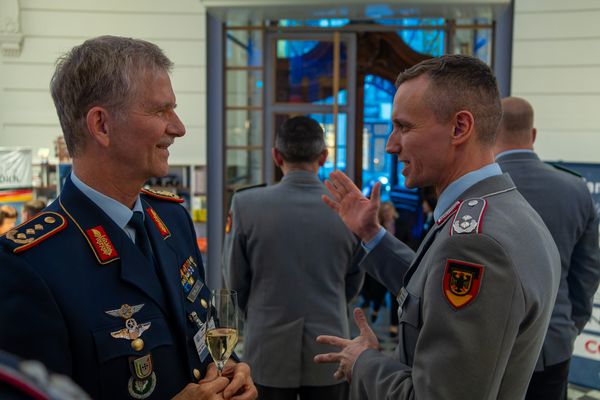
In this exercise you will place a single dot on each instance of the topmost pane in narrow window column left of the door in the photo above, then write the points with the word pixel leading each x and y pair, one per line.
pixel 244 48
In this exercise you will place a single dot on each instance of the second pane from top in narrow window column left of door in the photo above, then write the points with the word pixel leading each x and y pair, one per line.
pixel 244 88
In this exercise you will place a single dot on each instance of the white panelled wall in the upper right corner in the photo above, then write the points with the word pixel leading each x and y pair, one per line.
pixel 556 66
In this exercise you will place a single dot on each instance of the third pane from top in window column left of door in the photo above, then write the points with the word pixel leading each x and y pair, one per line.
pixel 244 128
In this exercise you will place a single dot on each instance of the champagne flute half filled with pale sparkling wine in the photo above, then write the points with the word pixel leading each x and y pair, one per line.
pixel 222 327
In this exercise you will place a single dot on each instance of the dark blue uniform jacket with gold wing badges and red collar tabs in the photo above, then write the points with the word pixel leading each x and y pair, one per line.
pixel 62 271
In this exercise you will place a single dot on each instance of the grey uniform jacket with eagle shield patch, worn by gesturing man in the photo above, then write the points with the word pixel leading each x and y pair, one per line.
pixel 475 302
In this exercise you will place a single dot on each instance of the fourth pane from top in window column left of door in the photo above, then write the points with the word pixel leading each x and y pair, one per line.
pixel 243 167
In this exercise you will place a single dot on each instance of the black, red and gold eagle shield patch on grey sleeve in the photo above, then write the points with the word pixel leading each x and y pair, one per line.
pixel 461 282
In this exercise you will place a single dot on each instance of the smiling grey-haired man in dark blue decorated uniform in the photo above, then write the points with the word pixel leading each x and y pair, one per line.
pixel 107 284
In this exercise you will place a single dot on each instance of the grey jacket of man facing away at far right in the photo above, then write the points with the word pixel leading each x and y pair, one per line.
pixel 566 206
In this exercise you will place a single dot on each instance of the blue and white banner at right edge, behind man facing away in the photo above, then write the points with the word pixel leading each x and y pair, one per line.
pixel 585 364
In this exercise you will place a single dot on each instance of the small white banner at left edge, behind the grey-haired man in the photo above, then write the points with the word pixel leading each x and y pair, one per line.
pixel 15 168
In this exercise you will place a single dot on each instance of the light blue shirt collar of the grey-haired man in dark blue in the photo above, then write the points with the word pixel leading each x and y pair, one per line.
pixel 119 213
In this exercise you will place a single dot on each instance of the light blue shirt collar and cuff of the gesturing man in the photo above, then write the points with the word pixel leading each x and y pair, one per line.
pixel 448 196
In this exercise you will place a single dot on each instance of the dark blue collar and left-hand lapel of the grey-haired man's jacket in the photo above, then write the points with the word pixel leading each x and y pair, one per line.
pixel 135 269
